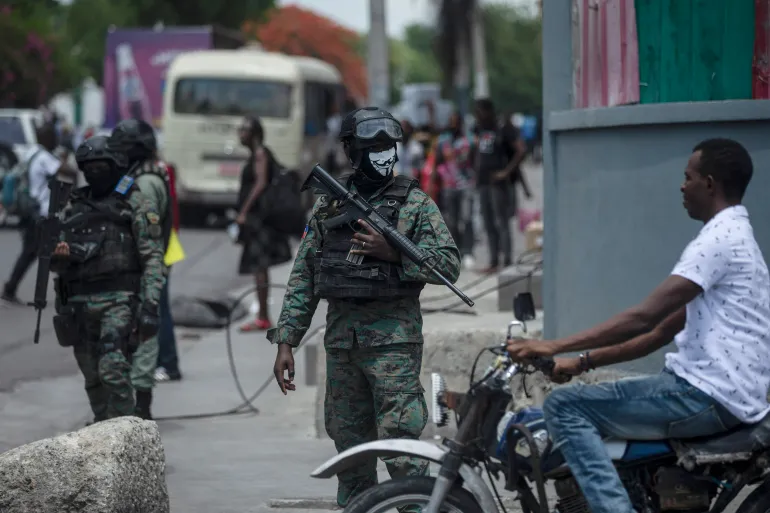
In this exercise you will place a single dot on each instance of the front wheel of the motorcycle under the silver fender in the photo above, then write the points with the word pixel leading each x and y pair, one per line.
pixel 410 491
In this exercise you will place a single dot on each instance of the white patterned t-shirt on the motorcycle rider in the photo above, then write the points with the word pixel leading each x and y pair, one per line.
pixel 724 348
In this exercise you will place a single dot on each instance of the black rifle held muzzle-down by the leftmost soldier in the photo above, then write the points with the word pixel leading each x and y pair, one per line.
pixel 48 231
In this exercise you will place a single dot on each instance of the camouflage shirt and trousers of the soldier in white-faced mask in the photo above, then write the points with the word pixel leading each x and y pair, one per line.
pixel 373 350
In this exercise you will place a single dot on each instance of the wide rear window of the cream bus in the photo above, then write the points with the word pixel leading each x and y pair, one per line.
pixel 232 97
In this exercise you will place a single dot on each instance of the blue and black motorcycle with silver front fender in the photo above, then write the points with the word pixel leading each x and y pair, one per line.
pixel 696 475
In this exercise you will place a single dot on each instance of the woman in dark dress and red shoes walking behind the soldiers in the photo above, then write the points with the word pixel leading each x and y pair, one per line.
pixel 263 247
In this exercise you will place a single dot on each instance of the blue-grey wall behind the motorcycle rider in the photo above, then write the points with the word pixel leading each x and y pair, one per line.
pixel 614 221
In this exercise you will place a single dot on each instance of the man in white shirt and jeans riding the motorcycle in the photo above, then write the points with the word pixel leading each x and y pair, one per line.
pixel 716 306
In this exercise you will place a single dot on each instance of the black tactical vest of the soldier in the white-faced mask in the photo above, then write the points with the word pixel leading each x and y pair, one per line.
pixel 336 278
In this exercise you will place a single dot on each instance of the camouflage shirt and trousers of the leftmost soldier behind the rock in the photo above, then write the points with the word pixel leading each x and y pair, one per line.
pixel 105 321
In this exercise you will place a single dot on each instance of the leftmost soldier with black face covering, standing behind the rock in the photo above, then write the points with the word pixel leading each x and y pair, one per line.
pixel 110 266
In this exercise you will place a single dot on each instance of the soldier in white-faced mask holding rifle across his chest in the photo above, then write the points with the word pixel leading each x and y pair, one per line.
pixel 373 335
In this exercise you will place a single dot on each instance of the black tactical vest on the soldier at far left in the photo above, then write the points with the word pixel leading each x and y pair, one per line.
pixel 103 255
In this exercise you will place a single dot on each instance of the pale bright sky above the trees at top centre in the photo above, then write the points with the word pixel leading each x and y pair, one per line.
pixel 399 13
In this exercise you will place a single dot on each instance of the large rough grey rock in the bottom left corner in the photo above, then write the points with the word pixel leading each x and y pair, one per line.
pixel 115 466
